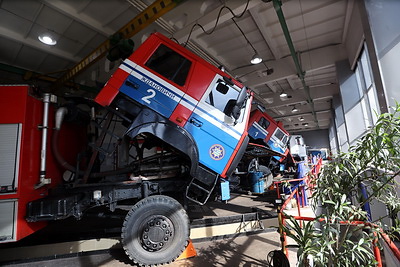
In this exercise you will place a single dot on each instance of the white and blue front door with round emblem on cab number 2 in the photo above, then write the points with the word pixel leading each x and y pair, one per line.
pixel 215 133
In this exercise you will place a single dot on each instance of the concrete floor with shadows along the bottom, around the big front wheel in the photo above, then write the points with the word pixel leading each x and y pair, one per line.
pixel 246 251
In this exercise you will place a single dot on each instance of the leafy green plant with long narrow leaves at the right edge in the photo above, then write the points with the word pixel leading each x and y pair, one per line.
pixel 343 191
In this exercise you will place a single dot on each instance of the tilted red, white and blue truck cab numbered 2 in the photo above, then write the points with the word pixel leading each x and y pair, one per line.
pixel 186 102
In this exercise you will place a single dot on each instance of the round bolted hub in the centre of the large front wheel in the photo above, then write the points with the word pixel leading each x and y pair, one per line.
pixel 157 232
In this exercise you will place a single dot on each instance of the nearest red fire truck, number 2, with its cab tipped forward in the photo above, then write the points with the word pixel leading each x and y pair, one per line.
pixel 179 129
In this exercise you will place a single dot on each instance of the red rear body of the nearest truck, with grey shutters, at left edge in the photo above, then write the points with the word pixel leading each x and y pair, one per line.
pixel 21 116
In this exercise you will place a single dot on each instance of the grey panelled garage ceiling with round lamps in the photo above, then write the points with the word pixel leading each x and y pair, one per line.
pixel 318 29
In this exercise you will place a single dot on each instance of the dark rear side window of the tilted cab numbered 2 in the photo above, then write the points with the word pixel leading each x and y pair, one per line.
pixel 169 64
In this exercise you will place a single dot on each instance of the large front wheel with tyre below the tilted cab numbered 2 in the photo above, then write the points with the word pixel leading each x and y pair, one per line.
pixel 155 231
